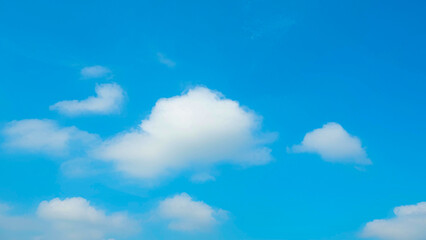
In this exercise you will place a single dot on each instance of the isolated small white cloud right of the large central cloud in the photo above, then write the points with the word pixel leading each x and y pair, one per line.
pixel 334 144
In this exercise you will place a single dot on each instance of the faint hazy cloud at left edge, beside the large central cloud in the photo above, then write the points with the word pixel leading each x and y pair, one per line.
pixel 44 136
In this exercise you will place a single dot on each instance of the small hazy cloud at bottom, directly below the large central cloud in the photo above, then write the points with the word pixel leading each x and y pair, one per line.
pixel 185 214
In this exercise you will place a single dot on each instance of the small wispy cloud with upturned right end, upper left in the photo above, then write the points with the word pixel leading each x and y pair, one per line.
pixel 108 99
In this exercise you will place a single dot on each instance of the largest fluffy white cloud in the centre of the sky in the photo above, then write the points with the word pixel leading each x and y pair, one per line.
pixel 194 130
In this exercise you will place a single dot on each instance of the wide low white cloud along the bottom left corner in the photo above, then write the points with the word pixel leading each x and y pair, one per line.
pixel 68 219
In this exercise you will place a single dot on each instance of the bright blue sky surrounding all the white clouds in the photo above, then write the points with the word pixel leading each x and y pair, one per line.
pixel 296 64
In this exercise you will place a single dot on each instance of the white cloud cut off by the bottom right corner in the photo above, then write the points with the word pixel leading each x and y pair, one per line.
pixel 409 223
